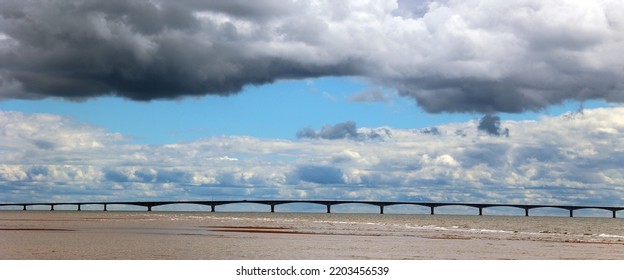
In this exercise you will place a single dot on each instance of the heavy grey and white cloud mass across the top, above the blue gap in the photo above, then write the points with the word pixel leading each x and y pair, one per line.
pixel 450 56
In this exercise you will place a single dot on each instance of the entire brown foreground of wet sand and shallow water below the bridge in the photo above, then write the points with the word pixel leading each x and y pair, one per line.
pixel 112 235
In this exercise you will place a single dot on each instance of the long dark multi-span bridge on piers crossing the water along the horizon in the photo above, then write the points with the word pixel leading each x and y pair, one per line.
pixel 328 203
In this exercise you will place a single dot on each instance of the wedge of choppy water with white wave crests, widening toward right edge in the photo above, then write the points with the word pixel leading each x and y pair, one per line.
pixel 401 225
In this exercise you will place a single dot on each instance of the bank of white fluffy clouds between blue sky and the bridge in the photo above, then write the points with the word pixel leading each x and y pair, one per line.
pixel 573 158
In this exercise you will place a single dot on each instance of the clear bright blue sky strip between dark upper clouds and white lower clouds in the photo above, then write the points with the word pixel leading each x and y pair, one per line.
pixel 275 110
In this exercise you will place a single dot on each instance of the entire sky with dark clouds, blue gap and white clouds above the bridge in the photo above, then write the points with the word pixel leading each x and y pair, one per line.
pixel 446 101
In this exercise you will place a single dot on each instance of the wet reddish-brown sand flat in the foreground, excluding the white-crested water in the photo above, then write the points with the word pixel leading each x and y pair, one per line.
pixel 100 235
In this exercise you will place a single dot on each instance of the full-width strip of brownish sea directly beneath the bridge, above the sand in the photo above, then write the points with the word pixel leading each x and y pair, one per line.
pixel 357 224
